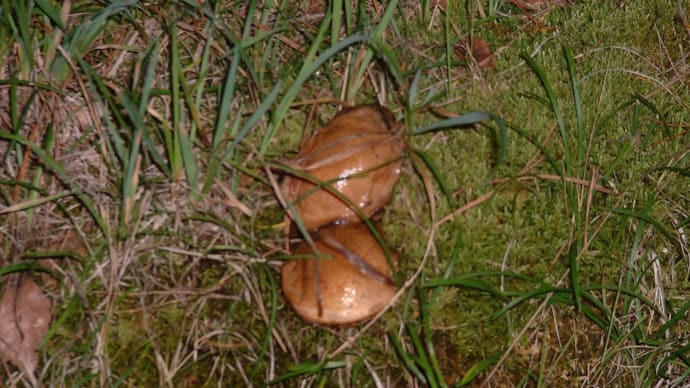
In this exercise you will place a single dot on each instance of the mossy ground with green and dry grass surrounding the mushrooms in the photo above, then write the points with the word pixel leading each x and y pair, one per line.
pixel 583 221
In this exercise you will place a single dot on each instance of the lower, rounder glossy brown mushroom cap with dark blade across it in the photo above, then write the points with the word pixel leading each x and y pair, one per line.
pixel 351 286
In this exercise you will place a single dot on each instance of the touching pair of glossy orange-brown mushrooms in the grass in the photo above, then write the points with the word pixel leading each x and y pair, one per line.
pixel 358 155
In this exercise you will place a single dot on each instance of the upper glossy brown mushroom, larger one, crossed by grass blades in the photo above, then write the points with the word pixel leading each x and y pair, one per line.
pixel 358 153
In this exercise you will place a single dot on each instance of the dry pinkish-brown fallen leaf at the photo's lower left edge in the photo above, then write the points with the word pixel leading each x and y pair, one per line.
pixel 24 321
